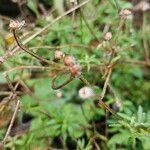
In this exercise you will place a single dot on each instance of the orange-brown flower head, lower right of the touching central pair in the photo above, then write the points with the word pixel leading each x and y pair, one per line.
pixel 75 70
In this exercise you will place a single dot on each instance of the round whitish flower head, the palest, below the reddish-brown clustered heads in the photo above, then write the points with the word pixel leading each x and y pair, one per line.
pixel 86 92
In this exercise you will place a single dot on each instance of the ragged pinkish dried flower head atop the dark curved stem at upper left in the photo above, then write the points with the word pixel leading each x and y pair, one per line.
pixel 15 24
